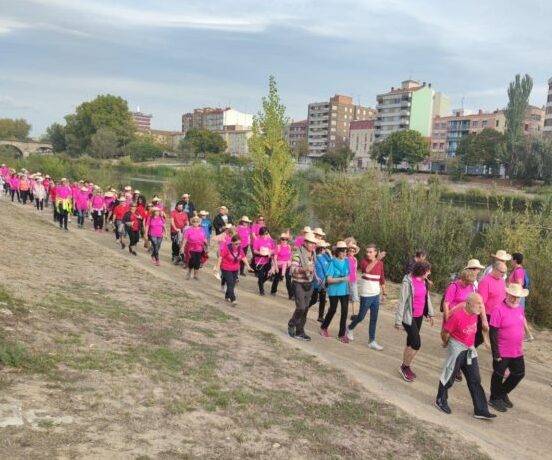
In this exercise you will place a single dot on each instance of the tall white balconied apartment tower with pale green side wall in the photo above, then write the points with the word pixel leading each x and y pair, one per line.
pixel 412 106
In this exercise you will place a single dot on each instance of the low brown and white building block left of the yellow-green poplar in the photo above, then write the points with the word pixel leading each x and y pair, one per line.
pixel 215 119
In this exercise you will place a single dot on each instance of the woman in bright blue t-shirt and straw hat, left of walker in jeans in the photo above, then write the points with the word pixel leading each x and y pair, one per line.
pixel 338 277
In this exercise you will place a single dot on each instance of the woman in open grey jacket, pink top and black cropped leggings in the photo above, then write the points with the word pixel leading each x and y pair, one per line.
pixel 414 303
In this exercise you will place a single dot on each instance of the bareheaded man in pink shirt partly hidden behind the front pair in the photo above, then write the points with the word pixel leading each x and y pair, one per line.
pixel 492 289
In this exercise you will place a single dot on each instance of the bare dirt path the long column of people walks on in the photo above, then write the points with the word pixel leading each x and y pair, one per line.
pixel 524 432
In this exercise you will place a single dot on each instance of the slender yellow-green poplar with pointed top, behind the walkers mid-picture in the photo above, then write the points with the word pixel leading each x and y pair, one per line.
pixel 273 193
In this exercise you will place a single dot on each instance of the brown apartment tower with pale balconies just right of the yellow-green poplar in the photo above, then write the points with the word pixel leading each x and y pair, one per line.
pixel 329 122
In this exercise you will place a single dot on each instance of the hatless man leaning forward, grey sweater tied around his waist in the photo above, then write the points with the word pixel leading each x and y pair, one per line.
pixel 458 335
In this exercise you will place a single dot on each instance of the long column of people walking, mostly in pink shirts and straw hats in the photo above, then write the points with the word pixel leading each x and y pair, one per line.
pixel 481 306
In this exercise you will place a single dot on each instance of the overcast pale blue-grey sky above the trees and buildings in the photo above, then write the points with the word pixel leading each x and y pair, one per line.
pixel 169 56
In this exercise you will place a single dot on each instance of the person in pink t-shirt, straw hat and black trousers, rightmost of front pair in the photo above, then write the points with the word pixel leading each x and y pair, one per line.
pixel 507 324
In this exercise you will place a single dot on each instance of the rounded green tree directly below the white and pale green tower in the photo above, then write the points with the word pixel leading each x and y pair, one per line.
pixel 406 145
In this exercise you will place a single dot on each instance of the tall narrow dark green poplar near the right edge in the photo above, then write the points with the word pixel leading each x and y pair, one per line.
pixel 518 101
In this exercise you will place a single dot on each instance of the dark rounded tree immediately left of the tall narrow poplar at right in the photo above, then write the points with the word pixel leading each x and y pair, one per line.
pixel 483 148
